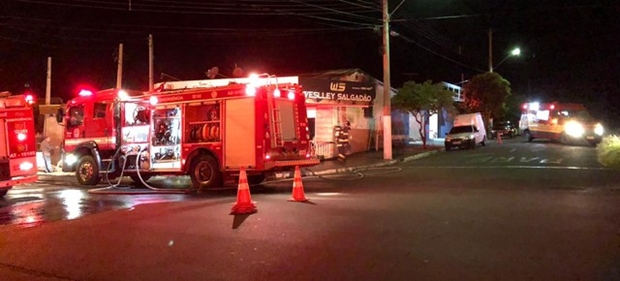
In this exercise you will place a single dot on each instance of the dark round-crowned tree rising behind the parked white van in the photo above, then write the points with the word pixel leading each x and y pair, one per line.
pixel 486 93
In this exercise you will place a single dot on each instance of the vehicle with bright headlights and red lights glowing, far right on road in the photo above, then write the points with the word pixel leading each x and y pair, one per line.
pixel 568 123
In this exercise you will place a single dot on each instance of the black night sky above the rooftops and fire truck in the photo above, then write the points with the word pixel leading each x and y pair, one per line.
pixel 570 49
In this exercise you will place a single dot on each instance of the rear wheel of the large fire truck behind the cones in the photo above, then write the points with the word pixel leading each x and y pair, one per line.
pixel 205 172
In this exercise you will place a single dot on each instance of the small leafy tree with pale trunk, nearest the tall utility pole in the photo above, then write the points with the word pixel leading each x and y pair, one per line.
pixel 421 100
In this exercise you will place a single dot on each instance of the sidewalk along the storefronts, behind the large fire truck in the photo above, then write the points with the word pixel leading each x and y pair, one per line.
pixel 356 161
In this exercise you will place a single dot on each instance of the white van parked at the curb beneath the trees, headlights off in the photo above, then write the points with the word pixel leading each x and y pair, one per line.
pixel 467 132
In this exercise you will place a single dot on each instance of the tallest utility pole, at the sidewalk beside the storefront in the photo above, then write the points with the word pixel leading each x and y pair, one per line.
pixel 387 111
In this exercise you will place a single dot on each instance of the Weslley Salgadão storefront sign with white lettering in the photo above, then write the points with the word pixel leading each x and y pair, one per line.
pixel 324 91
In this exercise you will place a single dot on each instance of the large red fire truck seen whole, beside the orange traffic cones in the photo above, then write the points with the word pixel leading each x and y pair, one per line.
pixel 206 133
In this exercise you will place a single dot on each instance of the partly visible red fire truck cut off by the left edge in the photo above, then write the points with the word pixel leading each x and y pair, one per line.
pixel 18 150
